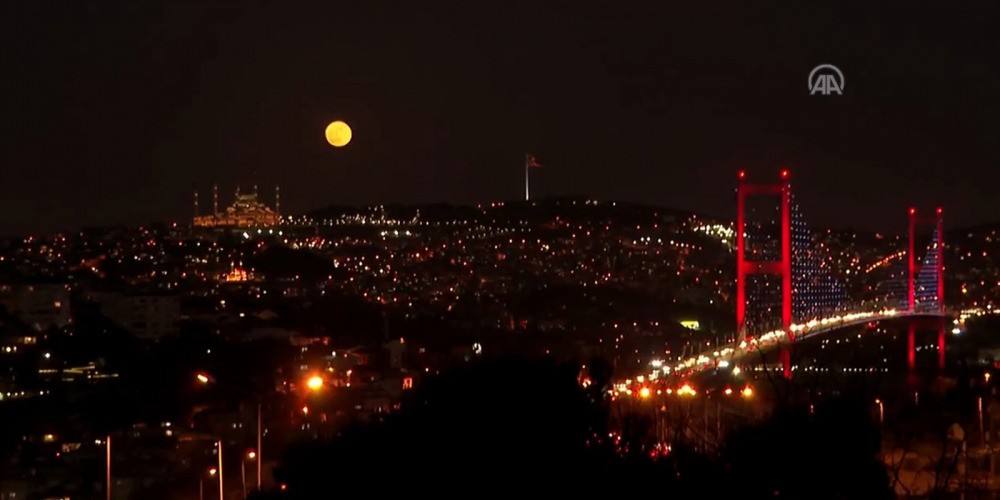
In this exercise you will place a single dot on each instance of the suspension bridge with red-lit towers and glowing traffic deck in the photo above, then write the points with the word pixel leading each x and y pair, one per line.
pixel 786 291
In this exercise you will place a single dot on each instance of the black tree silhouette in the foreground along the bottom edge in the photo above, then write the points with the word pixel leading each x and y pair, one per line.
pixel 518 426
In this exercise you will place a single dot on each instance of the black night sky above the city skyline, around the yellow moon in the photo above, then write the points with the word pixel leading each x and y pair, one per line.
pixel 116 111
